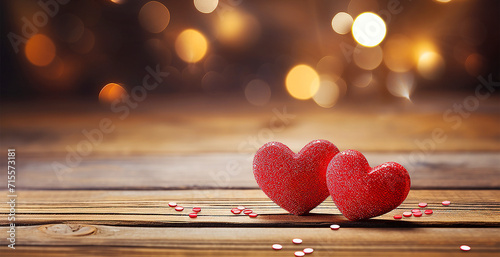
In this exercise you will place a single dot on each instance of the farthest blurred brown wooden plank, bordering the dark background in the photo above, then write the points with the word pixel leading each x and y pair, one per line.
pixel 188 125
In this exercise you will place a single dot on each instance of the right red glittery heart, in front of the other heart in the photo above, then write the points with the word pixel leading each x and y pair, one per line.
pixel 361 192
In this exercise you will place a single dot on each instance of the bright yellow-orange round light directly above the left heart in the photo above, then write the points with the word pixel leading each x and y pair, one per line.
pixel 302 82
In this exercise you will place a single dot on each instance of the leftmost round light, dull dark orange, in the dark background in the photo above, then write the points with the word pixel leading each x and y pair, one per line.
pixel 40 50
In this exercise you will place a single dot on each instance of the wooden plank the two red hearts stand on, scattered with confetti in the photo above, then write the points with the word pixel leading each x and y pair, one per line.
pixel 469 208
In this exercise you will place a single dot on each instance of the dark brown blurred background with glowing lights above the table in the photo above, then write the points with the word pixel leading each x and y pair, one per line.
pixel 253 50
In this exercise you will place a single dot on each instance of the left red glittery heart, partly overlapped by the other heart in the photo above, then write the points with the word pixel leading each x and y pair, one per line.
pixel 296 182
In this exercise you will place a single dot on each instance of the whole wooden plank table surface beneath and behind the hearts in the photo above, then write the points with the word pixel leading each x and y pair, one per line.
pixel 197 151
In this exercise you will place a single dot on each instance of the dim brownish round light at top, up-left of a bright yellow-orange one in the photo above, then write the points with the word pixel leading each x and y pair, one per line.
pixel 154 17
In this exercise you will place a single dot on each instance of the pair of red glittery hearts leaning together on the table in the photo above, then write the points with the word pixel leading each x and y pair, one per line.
pixel 300 182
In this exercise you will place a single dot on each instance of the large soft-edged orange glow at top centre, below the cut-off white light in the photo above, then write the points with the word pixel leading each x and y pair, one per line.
pixel 237 29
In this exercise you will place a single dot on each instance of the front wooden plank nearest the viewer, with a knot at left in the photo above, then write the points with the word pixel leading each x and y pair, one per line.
pixel 62 239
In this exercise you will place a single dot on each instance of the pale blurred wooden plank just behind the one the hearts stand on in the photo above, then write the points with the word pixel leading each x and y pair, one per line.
pixel 232 170
